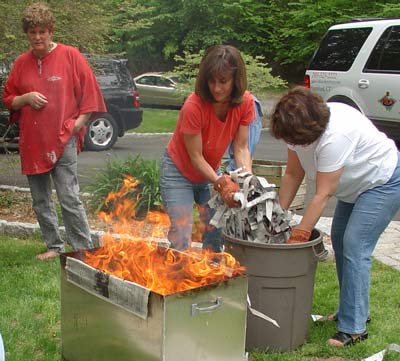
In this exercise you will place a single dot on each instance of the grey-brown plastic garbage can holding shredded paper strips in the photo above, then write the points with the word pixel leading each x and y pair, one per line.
pixel 281 285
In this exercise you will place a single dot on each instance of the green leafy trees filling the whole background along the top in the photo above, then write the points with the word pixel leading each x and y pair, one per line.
pixel 152 33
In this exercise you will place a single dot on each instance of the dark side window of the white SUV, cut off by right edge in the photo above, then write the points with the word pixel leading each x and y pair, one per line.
pixel 385 58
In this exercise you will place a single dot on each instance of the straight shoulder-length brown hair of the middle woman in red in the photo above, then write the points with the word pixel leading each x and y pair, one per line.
pixel 222 60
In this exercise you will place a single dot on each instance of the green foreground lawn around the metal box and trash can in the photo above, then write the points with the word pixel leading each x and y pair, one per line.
pixel 30 309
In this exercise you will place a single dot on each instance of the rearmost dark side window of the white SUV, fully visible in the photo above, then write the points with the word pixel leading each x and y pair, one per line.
pixel 339 48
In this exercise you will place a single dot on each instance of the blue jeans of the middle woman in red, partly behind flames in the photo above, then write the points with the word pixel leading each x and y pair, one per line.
pixel 178 195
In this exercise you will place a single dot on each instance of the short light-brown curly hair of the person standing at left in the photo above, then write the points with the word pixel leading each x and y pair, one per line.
pixel 38 14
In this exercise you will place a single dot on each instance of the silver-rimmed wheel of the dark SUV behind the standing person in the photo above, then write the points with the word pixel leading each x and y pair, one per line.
pixel 101 133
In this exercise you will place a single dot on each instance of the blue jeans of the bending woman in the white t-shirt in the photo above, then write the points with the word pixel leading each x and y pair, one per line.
pixel 356 229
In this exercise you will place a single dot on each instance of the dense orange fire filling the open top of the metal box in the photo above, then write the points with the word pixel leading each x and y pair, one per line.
pixel 162 270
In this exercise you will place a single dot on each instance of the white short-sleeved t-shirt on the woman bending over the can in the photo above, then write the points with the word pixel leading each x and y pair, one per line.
pixel 350 141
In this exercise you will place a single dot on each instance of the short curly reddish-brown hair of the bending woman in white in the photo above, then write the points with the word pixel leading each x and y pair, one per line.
pixel 300 117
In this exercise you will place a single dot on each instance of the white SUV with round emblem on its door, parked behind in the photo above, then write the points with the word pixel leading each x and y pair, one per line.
pixel 358 63
